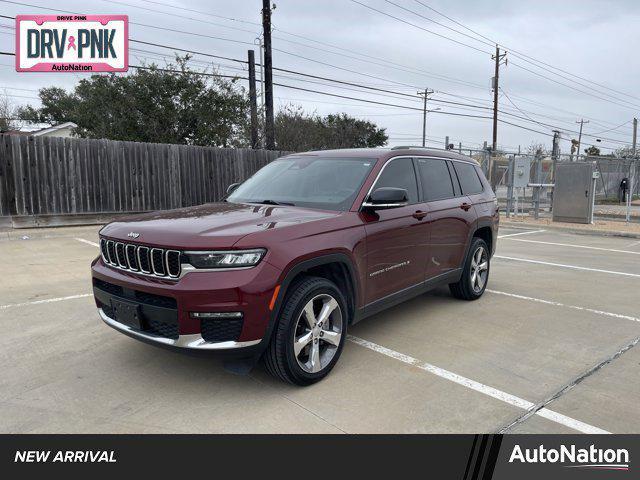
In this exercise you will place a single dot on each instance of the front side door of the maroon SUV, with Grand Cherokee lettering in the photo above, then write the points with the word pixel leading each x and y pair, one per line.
pixel 397 238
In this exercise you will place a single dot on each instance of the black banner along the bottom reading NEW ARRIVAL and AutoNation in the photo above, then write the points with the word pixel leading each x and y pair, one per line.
pixel 462 457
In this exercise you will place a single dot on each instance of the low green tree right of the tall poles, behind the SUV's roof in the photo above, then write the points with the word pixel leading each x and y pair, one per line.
pixel 299 131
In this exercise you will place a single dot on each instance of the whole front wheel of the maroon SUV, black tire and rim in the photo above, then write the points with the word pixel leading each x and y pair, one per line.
pixel 299 352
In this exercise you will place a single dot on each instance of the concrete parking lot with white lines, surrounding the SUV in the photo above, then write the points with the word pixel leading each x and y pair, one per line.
pixel 548 349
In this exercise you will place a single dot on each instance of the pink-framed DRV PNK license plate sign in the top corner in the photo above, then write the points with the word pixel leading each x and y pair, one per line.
pixel 72 43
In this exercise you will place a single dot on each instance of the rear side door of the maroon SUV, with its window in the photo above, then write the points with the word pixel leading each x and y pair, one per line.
pixel 450 215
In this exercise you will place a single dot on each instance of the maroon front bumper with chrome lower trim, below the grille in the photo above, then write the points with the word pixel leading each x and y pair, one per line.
pixel 165 306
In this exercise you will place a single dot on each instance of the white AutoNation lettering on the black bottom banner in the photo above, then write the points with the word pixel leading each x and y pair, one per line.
pixel 588 458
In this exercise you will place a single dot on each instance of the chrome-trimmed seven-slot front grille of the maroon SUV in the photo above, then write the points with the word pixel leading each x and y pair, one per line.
pixel 138 258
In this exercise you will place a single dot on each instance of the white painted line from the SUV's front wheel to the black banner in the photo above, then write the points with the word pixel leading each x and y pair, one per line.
pixel 479 387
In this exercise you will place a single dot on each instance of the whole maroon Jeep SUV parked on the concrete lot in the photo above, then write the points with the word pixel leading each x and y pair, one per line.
pixel 312 243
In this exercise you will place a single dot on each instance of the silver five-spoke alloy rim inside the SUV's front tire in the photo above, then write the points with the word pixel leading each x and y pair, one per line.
pixel 318 332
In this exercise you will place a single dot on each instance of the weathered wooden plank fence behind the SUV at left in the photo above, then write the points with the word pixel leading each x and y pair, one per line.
pixel 49 176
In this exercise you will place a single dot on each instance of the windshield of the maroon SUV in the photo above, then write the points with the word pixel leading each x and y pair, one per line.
pixel 314 182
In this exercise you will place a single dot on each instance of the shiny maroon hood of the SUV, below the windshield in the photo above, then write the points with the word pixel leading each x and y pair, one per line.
pixel 214 225
